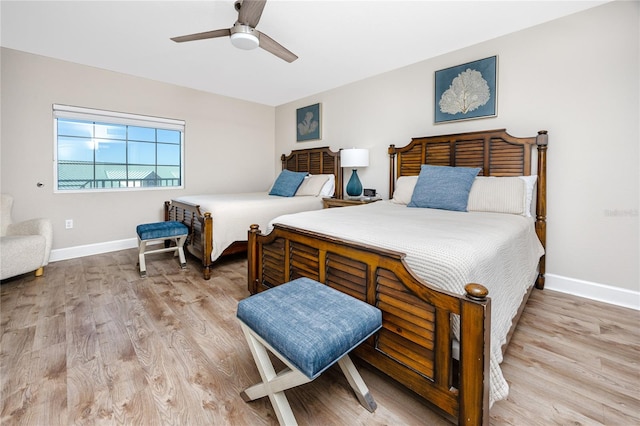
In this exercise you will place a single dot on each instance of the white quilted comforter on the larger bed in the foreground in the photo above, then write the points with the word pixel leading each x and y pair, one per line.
pixel 449 250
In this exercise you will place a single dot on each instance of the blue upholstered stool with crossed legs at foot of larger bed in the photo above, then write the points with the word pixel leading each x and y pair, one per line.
pixel 310 327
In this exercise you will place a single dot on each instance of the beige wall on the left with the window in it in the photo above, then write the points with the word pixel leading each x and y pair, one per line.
pixel 216 126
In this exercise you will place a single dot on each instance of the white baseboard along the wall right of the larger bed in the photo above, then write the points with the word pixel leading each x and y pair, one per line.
pixel 594 291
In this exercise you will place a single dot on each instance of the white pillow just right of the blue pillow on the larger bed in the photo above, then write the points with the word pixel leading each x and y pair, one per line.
pixel 498 195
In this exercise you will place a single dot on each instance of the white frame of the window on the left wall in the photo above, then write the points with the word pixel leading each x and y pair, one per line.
pixel 117 118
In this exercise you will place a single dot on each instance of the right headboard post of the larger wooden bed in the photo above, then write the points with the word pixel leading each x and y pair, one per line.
pixel 542 141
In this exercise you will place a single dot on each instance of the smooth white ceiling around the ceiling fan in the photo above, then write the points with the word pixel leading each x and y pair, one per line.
pixel 337 42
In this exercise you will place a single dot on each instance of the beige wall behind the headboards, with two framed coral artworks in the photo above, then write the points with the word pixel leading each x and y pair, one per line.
pixel 576 77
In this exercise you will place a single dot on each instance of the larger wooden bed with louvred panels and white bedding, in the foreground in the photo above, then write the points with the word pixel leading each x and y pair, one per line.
pixel 451 284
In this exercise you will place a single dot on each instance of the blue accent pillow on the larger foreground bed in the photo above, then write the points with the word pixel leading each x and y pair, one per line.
pixel 443 187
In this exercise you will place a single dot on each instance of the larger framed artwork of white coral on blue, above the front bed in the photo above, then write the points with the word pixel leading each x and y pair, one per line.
pixel 467 91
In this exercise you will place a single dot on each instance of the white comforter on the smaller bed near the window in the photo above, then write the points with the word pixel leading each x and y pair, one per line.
pixel 234 213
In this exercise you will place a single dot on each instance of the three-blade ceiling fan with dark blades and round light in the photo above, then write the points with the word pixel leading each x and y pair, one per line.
pixel 243 33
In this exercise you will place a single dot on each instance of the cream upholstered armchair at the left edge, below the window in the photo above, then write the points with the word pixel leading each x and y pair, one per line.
pixel 24 246
